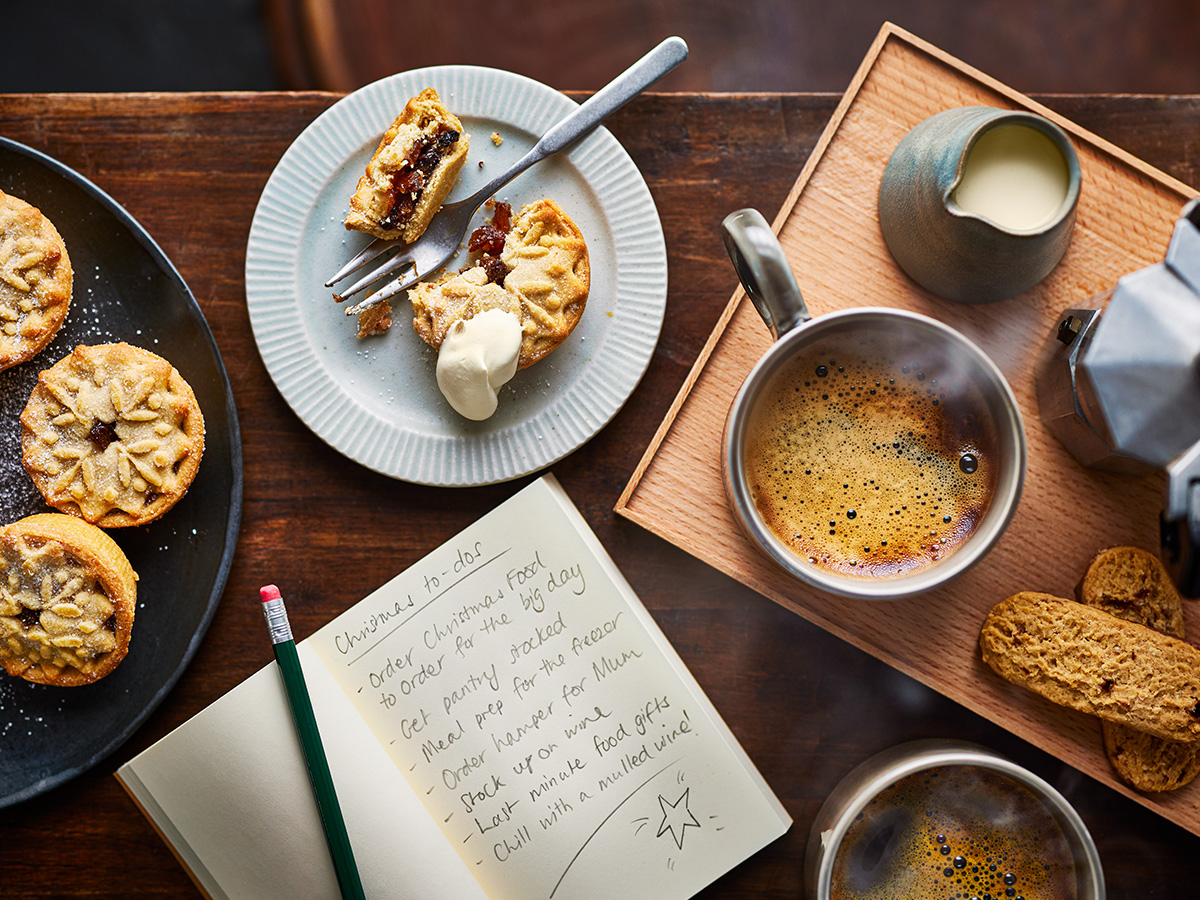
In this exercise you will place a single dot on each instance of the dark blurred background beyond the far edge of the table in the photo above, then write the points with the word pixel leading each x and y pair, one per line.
pixel 1036 46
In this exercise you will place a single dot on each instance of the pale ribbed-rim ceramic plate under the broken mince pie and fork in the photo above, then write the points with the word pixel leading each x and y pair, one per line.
pixel 377 400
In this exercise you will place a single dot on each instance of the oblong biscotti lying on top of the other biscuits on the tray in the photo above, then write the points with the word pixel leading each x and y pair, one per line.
pixel 1089 661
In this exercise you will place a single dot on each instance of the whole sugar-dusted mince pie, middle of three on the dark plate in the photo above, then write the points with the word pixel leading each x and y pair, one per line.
pixel 112 434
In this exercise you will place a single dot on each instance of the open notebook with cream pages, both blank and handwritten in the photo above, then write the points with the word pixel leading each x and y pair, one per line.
pixel 502 721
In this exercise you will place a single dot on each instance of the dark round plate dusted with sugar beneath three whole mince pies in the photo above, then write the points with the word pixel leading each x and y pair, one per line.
pixel 125 290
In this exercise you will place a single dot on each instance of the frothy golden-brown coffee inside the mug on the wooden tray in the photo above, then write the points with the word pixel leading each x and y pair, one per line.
pixel 872 461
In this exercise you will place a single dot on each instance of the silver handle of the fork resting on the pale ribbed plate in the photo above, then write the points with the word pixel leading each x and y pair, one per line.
pixel 596 110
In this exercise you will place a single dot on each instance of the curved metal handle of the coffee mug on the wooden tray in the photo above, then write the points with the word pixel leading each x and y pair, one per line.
pixel 764 272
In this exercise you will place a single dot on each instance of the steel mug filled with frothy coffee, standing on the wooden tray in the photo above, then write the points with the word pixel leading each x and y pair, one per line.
pixel 871 453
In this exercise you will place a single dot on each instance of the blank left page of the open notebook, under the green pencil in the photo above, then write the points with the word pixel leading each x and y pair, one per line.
pixel 230 793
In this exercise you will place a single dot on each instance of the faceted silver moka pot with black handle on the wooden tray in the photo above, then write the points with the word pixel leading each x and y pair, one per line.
pixel 1121 388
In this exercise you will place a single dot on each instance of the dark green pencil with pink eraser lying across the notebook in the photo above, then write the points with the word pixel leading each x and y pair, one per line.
pixel 310 741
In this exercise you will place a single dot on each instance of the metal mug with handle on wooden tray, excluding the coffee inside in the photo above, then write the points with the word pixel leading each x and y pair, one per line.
pixel 769 281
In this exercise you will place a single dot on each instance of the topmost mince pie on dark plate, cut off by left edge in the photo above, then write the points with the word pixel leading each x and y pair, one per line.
pixel 35 281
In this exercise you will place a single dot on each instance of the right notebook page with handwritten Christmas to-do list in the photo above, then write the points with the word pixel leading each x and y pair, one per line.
pixel 543 719
